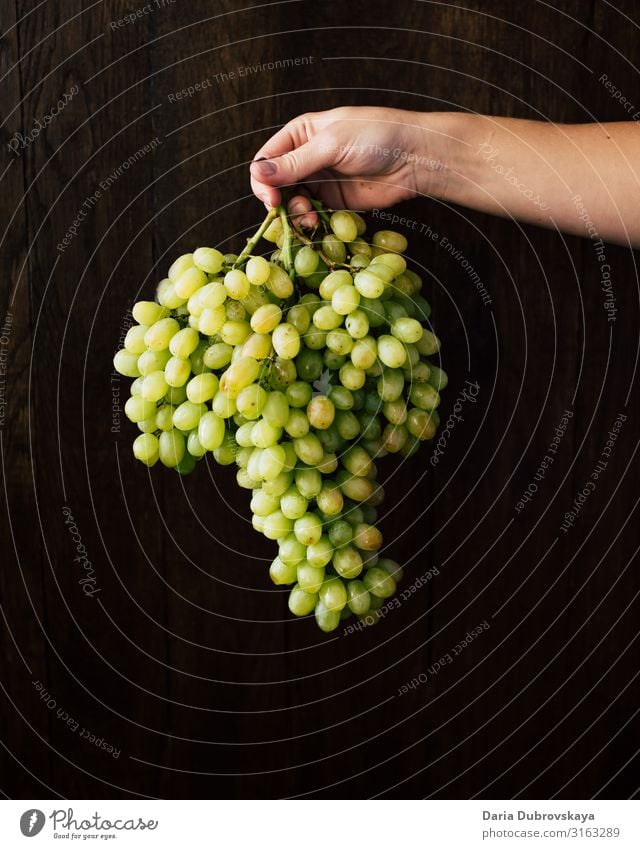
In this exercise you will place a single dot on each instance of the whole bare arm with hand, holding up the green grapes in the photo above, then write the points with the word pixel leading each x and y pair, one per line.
pixel 579 178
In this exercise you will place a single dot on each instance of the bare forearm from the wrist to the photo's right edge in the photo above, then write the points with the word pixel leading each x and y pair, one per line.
pixel 580 178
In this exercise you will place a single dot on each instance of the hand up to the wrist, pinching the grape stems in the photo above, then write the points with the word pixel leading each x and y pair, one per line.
pixel 353 157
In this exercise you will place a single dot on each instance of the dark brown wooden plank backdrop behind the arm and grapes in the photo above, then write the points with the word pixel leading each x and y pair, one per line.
pixel 187 661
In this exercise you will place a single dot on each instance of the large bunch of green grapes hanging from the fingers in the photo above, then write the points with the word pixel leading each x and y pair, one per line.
pixel 303 368
